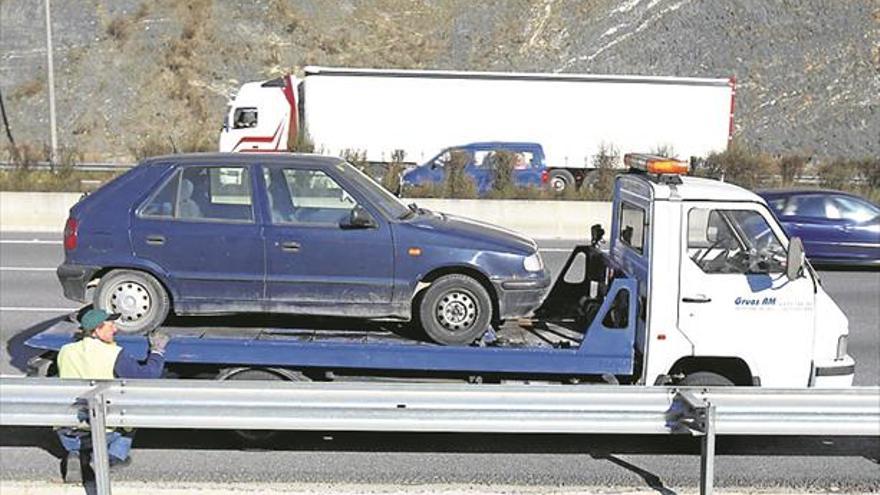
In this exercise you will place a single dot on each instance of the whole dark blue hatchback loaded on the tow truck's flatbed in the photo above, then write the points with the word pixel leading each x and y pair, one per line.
pixel 285 233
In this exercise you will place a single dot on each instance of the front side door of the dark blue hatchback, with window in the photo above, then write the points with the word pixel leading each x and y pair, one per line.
pixel 315 263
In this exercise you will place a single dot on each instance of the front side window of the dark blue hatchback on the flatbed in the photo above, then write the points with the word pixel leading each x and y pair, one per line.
pixel 304 196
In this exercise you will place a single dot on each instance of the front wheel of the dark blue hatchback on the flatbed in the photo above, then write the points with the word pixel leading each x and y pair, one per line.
pixel 455 310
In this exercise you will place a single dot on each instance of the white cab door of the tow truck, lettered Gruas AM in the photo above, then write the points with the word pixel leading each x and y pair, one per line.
pixel 735 300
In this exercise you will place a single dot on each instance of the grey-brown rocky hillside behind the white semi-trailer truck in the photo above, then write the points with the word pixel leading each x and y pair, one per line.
pixel 131 72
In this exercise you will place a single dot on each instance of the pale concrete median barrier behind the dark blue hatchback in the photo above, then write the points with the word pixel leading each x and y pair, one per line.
pixel 47 212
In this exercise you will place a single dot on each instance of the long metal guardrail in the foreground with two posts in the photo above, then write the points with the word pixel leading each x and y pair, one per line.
pixel 200 404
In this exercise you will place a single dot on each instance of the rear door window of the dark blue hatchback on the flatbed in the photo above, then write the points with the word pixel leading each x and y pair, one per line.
pixel 215 193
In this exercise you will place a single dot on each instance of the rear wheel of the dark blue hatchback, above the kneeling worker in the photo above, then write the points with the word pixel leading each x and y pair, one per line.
pixel 137 296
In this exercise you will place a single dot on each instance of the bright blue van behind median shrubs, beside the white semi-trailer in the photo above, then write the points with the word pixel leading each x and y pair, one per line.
pixel 530 169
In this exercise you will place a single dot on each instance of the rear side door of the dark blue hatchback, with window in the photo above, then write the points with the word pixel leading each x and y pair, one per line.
pixel 200 228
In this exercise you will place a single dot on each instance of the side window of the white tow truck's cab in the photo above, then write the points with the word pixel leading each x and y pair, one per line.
pixel 733 241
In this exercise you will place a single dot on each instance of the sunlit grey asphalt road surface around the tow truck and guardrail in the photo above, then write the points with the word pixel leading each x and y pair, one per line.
pixel 30 299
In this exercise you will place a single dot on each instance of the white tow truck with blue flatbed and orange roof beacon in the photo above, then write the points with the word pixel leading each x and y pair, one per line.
pixel 697 285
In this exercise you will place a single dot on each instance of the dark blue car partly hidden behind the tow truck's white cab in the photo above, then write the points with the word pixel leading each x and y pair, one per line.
pixel 836 227
